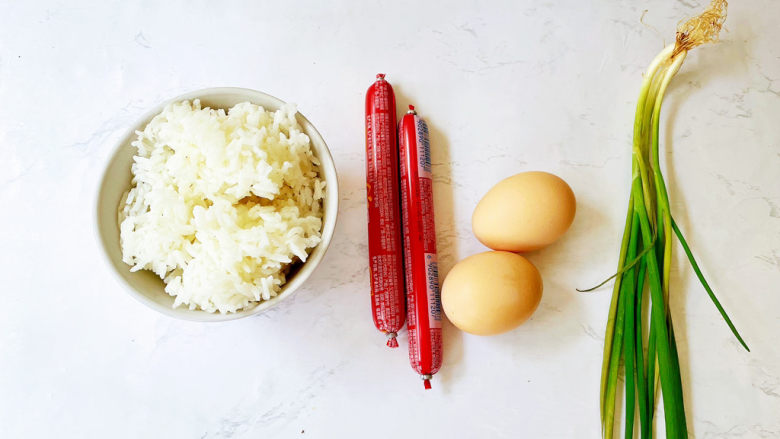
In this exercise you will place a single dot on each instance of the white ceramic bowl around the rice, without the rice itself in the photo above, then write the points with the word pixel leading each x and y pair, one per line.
pixel 145 285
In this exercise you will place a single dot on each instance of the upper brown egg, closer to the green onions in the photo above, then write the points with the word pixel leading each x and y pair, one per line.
pixel 524 212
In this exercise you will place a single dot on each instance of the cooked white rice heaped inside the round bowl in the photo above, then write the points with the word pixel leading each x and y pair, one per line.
pixel 221 204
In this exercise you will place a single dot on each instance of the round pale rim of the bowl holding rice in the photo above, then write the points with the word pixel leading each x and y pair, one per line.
pixel 291 286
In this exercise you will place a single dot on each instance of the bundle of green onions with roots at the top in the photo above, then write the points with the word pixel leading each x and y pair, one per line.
pixel 650 357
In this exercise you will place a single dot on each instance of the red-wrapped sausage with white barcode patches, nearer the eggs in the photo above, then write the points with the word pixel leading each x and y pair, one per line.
pixel 422 272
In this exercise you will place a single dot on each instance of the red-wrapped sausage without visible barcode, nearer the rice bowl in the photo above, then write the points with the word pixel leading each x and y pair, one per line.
pixel 384 217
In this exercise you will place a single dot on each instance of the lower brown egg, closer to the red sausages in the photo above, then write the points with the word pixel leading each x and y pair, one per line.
pixel 491 292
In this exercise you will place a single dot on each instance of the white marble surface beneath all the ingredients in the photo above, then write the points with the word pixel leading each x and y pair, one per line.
pixel 506 88
